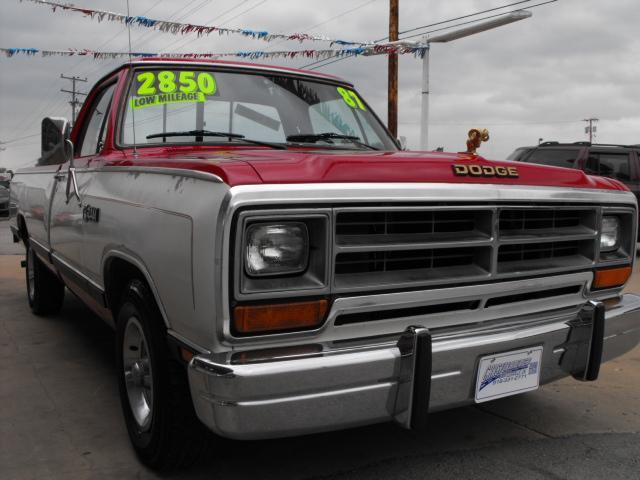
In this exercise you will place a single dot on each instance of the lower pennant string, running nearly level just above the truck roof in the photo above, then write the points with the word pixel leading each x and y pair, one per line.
pixel 418 50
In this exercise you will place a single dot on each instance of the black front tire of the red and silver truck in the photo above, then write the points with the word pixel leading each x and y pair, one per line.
pixel 172 436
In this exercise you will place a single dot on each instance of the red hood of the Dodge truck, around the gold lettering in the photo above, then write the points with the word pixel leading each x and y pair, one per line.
pixel 241 166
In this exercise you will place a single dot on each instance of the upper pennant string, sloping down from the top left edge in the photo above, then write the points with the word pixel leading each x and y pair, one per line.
pixel 188 28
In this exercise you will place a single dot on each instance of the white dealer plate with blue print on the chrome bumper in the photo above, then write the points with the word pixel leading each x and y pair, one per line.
pixel 508 373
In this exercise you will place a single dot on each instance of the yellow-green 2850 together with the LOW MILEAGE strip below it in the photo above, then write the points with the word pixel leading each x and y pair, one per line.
pixel 167 86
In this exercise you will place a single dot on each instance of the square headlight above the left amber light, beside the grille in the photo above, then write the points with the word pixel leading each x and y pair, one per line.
pixel 276 249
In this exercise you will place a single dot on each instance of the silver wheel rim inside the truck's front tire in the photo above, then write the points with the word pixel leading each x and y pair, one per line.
pixel 138 376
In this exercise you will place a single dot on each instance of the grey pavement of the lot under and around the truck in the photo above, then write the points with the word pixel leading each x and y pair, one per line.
pixel 60 418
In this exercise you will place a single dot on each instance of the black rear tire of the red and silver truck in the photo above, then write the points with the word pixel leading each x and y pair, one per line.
pixel 45 291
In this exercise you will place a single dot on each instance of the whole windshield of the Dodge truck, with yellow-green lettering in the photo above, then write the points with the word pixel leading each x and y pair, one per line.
pixel 260 107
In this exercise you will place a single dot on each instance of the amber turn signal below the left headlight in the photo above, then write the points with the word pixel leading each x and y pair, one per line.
pixel 272 318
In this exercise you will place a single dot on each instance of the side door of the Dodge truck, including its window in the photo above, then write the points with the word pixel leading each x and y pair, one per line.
pixel 68 212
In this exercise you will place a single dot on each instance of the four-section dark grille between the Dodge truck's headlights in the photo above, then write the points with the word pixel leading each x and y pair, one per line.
pixel 403 246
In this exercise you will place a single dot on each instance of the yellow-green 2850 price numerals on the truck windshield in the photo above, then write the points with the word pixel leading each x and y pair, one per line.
pixel 183 81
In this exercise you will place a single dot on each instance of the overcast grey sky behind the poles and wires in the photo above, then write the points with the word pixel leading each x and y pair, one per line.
pixel 537 78
